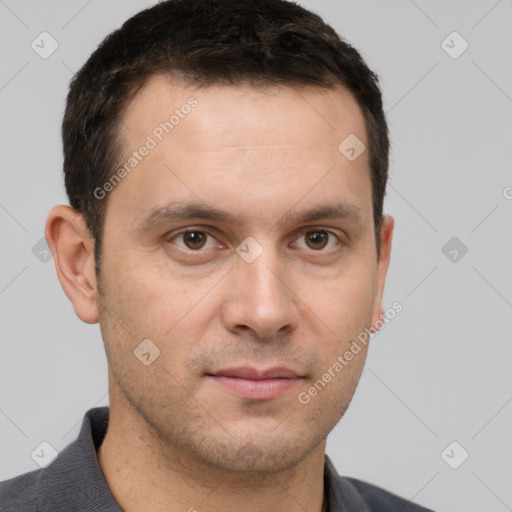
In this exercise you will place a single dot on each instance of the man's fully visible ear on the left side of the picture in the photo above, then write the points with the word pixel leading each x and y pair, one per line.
pixel 73 253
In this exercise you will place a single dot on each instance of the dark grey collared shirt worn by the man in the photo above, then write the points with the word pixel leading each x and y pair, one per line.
pixel 74 482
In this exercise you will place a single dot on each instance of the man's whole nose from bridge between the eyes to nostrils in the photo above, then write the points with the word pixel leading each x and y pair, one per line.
pixel 259 299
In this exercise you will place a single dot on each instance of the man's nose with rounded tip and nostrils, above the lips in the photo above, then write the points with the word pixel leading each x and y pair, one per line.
pixel 260 298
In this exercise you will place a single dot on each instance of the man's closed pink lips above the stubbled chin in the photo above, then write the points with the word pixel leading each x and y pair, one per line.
pixel 257 384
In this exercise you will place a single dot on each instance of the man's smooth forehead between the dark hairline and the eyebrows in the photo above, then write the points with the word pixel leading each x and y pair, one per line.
pixel 226 142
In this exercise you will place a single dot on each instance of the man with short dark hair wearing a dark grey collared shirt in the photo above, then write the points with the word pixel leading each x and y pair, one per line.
pixel 226 164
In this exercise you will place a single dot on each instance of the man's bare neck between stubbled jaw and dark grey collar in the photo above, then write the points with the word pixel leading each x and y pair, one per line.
pixel 143 474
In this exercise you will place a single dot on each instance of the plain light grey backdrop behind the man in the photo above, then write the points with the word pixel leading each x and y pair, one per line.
pixel 439 372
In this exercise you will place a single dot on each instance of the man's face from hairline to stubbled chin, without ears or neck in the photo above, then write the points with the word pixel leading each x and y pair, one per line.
pixel 177 269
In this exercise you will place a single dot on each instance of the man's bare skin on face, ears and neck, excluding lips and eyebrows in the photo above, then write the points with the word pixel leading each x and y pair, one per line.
pixel 178 440
